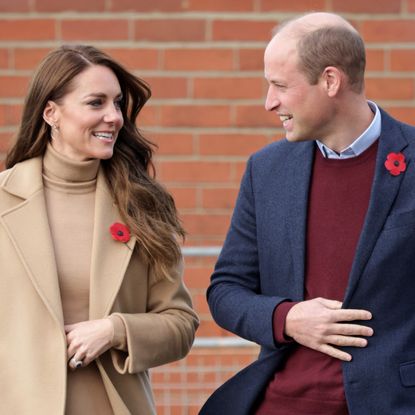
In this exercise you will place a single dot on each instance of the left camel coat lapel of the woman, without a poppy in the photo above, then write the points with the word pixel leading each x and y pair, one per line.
pixel 28 228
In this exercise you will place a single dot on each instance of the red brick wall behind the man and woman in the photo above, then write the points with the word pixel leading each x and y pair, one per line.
pixel 203 59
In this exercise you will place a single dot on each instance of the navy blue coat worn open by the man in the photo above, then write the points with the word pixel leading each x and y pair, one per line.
pixel 262 264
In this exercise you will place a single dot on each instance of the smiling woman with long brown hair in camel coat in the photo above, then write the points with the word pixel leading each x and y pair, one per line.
pixel 90 267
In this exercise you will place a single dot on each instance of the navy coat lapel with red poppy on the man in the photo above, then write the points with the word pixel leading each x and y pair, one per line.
pixel 384 191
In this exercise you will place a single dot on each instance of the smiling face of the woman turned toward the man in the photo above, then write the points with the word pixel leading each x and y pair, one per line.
pixel 88 118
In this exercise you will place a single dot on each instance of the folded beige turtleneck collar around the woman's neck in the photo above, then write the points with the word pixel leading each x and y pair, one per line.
pixel 58 167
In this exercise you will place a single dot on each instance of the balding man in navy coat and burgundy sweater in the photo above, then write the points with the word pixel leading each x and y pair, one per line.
pixel 318 266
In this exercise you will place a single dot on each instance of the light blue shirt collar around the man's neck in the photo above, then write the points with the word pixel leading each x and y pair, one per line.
pixel 362 143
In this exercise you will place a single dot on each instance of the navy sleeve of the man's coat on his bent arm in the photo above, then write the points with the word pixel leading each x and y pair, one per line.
pixel 234 296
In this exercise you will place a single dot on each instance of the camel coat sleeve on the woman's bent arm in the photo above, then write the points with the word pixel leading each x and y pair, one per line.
pixel 161 335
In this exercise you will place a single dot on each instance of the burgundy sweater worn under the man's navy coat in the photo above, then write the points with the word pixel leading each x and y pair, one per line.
pixel 312 382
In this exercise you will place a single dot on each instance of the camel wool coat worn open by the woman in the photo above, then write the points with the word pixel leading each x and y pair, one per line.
pixel 160 323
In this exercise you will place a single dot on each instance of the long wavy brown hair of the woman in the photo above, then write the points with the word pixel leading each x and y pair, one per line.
pixel 146 207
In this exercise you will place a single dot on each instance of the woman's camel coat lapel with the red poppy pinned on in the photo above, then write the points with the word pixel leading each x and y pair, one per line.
pixel 110 258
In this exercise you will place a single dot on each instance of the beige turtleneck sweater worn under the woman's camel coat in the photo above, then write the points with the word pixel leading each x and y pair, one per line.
pixel 70 200
